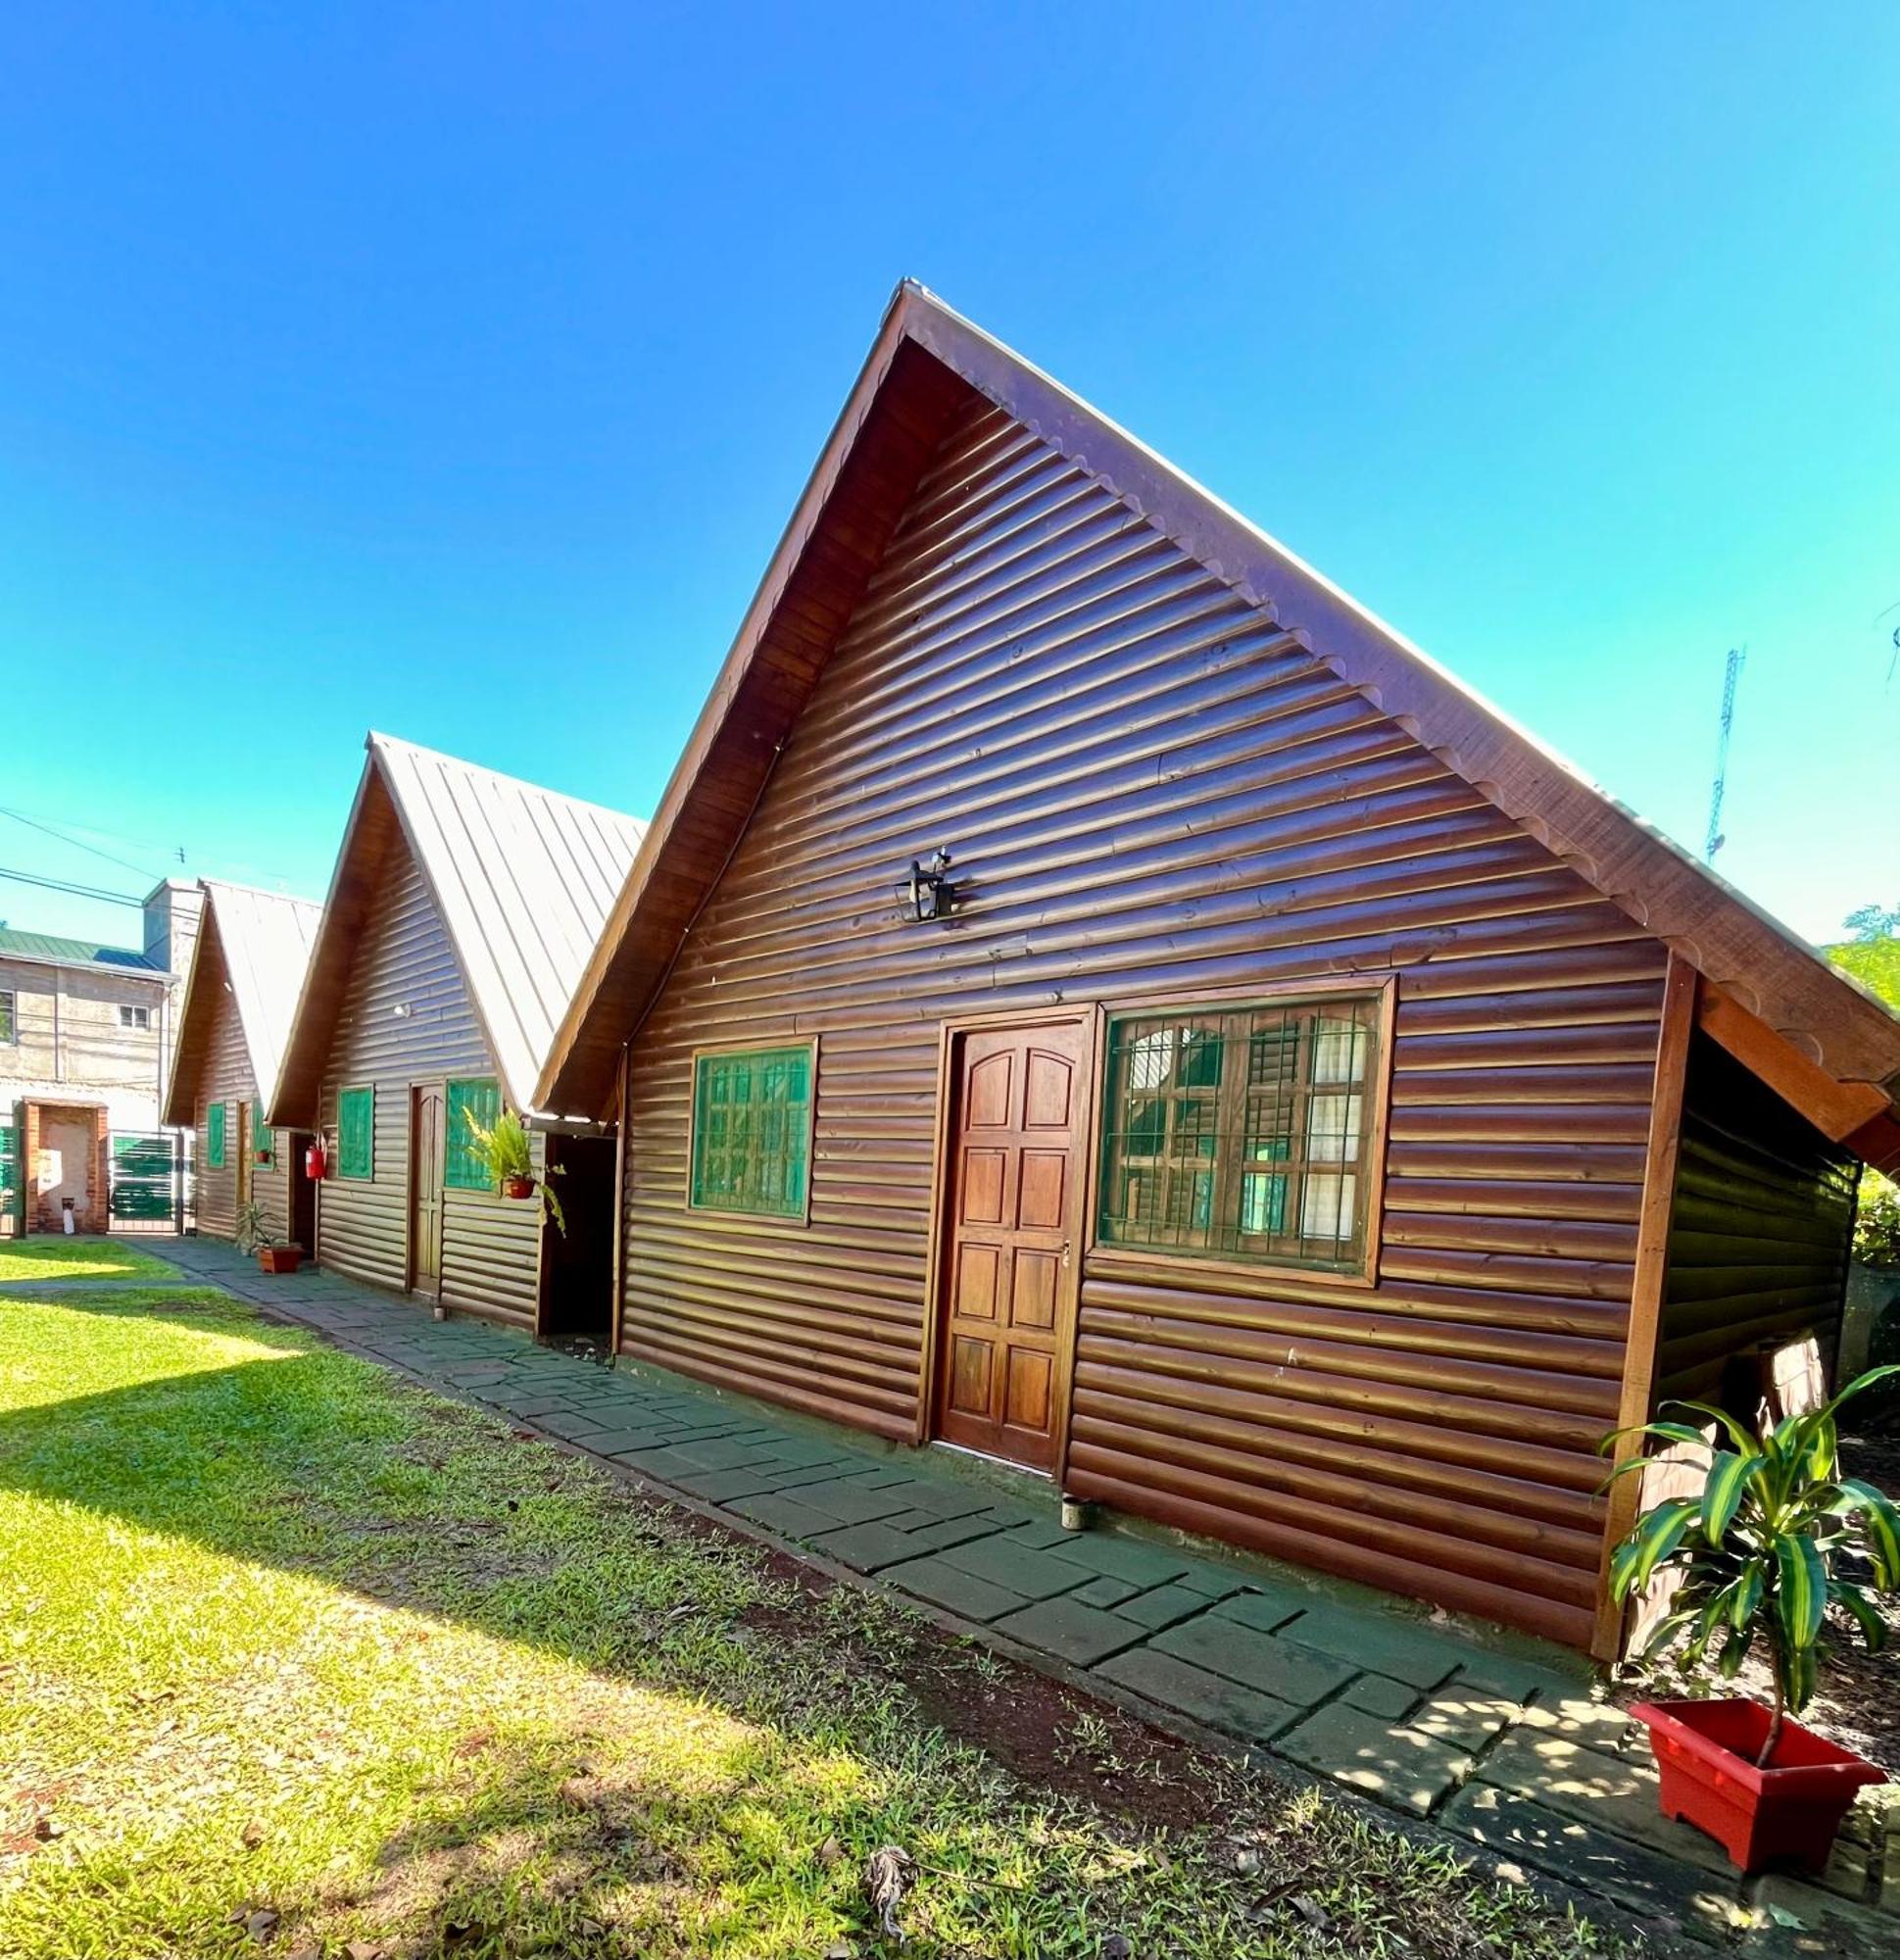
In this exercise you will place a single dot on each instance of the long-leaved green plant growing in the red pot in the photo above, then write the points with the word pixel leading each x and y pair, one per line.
pixel 1766 1549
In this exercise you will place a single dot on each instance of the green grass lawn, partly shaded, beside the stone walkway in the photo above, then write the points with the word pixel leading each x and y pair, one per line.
pixel 285 1636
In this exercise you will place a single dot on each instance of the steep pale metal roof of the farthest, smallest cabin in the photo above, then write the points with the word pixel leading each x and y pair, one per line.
pixel 261 940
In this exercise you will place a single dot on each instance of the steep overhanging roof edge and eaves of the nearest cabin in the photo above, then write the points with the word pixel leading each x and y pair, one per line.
pixel 1823 1042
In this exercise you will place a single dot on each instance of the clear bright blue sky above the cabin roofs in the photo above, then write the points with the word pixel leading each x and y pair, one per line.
pixel 453 369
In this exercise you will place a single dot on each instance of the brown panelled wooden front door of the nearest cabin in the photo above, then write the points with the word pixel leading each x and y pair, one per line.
pixel 1014 1224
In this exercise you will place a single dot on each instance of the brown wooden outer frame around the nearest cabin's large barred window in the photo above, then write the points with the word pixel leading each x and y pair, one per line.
pixel 1110 1257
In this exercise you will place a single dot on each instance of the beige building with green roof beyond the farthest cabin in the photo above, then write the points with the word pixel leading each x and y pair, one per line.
pixel 85 1042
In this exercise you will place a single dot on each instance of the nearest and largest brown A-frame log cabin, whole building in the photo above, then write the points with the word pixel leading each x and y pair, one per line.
pixel 1294 1106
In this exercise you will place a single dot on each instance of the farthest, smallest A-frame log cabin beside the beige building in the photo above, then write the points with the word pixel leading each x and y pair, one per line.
pixel 234 1022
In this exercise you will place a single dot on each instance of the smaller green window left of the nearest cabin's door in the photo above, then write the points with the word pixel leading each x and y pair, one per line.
pixel 753 1132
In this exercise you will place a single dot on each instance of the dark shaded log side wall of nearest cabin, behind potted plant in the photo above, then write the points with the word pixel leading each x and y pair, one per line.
pixel 1760 1232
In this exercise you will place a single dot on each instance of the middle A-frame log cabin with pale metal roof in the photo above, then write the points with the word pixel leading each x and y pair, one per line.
pixel 459 918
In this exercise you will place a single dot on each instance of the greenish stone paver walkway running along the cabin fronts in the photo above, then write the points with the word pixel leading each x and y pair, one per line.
pixel 1507 1749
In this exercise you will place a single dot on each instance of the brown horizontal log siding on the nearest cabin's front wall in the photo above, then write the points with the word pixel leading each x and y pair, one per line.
pixel 1147 789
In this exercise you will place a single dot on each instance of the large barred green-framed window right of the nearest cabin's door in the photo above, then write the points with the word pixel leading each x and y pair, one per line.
pixel 1243 1134
